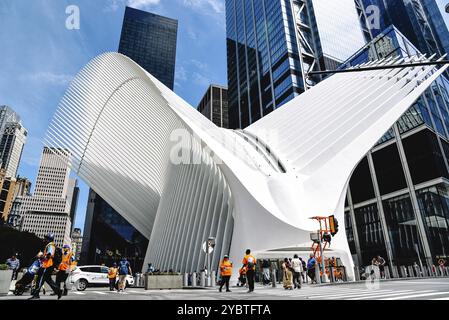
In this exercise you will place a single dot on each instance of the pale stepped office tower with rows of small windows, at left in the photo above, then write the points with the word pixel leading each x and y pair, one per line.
pixel 50 206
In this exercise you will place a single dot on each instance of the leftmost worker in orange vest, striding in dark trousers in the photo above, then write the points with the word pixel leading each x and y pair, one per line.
pixel 46 270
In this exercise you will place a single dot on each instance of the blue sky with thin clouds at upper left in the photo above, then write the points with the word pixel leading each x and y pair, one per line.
pixel 39 56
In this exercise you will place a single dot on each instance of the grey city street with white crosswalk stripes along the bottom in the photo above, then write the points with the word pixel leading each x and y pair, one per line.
pixel 425 289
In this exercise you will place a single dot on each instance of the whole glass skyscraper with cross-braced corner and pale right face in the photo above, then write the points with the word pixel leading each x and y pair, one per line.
pixel 273 44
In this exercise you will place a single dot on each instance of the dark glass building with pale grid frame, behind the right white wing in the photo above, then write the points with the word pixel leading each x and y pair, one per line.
pixel 397 199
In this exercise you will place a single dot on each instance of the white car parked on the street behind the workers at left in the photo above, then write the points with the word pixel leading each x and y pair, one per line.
pixel 93 276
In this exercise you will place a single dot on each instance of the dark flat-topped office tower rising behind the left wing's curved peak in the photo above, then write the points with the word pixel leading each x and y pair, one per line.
pixel 150 40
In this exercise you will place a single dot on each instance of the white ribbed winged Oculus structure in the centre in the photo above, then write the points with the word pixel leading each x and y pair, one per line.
pixel 253 188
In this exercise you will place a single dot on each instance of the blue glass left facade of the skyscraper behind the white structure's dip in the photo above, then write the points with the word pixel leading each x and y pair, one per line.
pixel 264 69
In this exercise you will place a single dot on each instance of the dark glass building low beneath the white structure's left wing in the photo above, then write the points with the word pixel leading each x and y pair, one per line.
pixel 108 236
